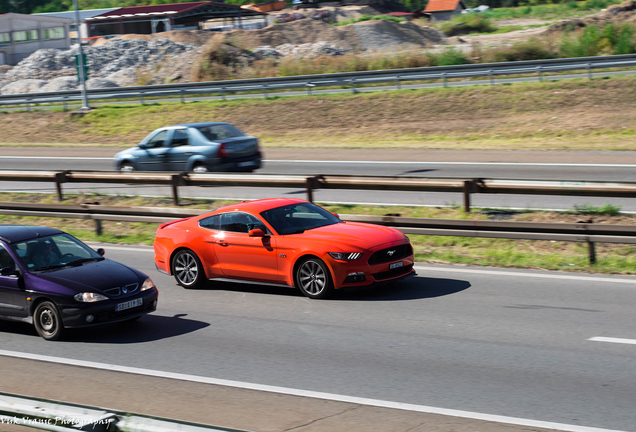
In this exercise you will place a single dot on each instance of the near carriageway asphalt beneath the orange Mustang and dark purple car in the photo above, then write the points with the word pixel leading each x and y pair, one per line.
pixel 504 342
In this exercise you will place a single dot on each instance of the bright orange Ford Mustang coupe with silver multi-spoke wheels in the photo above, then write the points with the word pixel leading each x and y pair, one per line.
pixel 284 242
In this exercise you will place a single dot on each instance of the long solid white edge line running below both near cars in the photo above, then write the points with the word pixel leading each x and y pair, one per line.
pixel 307 393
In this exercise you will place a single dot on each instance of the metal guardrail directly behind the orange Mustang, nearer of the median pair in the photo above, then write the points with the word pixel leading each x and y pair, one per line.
pixel 577 232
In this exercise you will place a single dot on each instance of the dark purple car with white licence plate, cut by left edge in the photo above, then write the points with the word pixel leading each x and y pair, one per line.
pixel 54 281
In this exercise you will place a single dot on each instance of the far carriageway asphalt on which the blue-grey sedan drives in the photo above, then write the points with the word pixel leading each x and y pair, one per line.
pixel 567 166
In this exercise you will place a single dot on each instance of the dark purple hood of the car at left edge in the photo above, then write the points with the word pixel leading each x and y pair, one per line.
pixel 99 275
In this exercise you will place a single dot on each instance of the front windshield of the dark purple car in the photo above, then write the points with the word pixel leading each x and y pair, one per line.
pixel 59 250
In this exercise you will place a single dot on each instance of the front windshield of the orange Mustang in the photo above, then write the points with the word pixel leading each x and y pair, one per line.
pixel 297 218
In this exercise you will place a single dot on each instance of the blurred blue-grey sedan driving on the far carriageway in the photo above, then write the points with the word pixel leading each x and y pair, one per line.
pixel 198 147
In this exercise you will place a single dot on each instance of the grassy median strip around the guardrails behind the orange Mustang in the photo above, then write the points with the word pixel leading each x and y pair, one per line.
pixel 545 255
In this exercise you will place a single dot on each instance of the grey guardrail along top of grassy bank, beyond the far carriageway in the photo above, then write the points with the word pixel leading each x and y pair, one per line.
pixel 351 79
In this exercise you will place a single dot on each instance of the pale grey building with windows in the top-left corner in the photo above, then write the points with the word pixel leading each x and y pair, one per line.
pixel 15 51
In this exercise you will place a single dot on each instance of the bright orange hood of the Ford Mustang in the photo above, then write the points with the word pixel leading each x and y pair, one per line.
pixel 356 234
